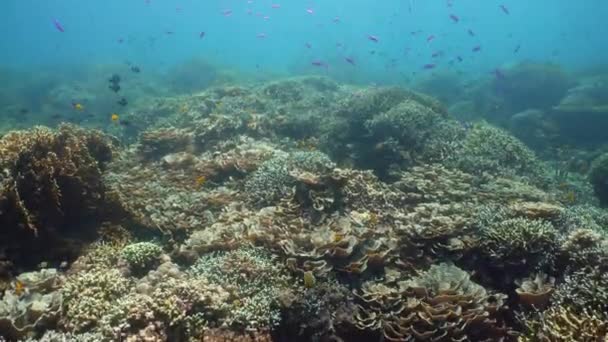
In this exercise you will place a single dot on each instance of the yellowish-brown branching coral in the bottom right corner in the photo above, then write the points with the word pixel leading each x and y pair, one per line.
pixel 561 324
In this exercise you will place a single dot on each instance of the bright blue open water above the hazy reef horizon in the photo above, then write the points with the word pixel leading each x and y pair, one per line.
pixel 571 33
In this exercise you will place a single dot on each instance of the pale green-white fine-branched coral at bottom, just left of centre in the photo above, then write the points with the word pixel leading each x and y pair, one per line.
pixel 256 279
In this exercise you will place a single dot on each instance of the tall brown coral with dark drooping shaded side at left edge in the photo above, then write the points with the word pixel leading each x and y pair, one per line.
pixel 51 185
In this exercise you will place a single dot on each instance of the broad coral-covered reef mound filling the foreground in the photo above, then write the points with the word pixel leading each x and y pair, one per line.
pixel 458 235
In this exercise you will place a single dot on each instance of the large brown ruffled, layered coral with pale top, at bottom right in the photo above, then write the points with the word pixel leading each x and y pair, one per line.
pixel 441 304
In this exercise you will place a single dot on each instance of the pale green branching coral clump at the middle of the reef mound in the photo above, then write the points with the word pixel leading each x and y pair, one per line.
pixel 272 179
